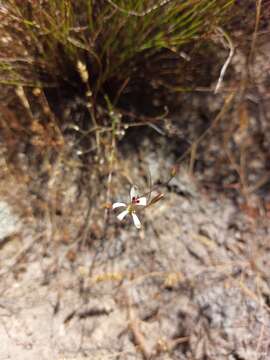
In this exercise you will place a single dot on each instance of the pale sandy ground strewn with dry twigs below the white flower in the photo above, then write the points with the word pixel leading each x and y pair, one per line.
pixel 194 283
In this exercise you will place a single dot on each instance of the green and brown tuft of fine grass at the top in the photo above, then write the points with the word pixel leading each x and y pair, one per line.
pixel 43 43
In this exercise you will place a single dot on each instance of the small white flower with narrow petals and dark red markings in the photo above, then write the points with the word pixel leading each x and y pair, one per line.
pixel 131 207
